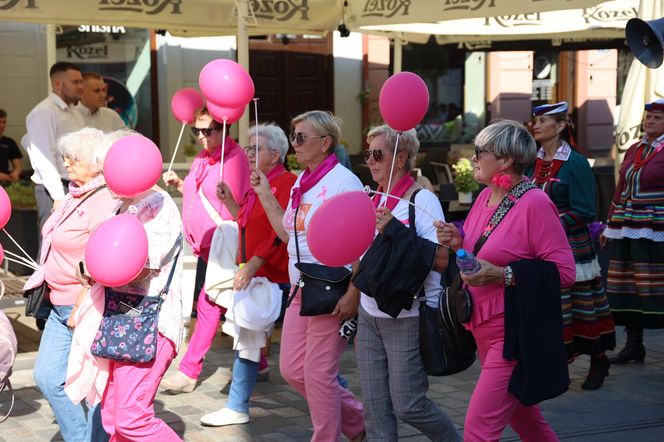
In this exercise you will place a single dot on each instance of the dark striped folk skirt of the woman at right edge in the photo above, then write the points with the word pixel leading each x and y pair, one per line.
pixel 636 283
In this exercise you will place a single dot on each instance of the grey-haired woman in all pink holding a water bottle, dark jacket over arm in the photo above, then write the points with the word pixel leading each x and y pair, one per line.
pixel 526 258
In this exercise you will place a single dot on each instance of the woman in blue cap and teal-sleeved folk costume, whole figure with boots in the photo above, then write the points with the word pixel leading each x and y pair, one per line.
pixel 567 178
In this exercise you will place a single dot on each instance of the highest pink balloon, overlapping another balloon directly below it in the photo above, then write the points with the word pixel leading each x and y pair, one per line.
pixel 226 83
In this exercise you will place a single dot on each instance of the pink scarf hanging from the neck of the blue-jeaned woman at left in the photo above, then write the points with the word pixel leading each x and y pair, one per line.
pixel 70 203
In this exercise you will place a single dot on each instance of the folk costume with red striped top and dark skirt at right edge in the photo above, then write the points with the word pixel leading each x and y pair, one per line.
pixel 636 222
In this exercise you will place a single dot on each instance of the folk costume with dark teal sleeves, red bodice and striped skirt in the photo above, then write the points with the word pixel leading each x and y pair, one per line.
pixel 588 327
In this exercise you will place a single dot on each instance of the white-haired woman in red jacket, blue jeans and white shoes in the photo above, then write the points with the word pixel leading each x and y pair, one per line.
pixel 261 253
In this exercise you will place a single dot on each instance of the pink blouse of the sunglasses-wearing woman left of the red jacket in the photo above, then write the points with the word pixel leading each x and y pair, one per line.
pixel 198 225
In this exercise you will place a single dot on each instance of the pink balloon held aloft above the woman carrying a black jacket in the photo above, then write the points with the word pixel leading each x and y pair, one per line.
pixel 403 101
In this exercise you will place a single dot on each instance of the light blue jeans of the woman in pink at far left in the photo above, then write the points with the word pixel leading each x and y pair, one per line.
pixel 50 374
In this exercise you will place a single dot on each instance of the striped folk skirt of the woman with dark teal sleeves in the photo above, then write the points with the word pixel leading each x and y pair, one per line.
pixel 587 322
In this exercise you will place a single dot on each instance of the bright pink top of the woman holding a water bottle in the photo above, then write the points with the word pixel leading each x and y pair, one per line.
pixel 531 230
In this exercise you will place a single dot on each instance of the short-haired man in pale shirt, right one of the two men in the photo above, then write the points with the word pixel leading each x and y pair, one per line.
pixel 92 106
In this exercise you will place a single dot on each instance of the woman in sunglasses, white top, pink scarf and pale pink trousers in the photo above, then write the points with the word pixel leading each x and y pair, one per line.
pixel 311 345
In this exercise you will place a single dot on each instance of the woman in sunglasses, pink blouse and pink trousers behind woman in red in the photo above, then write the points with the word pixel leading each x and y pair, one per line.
pixel 202 211
